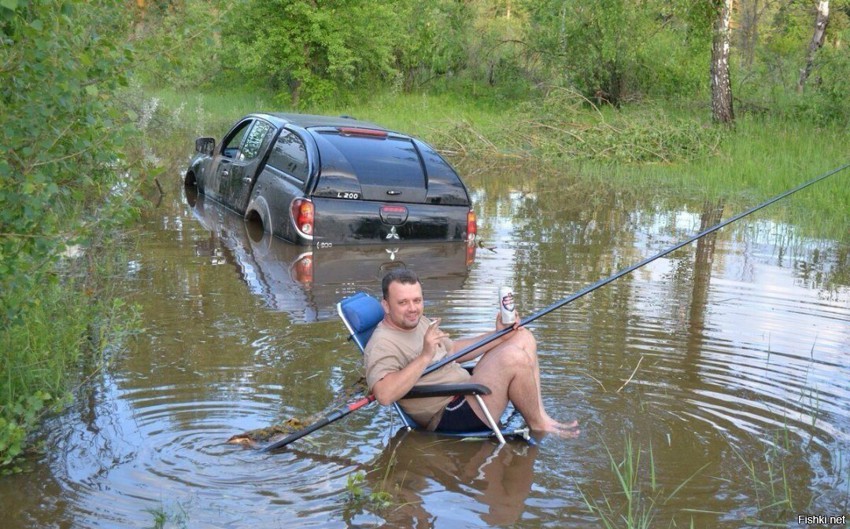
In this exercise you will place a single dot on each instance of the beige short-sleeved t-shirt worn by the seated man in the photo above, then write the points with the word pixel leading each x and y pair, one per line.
pixel 390 350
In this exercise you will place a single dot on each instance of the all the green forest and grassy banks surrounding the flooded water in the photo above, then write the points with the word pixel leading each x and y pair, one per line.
pixel 96 94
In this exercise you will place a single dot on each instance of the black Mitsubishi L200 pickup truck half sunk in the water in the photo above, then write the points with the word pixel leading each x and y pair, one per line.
pixel 325 181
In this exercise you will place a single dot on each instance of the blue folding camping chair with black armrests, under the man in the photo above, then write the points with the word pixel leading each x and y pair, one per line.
pixel 361 313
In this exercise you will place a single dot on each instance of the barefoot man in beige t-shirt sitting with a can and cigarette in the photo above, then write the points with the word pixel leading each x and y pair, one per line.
pixel 405 342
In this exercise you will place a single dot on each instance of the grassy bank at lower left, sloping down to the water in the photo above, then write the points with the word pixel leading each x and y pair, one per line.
pixel 62 340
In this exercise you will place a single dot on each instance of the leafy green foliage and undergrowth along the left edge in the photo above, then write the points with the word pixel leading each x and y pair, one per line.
pixel 61 180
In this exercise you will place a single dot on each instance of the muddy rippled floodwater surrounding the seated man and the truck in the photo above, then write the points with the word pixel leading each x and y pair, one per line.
pixel 714 379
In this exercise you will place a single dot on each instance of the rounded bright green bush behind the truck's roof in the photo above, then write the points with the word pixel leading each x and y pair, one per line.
pixel 314 51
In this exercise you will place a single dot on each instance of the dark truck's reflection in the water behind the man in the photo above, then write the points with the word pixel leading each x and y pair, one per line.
pixel 306 282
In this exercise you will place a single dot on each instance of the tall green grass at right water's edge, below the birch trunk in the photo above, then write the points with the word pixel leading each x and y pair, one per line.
pixel 761 158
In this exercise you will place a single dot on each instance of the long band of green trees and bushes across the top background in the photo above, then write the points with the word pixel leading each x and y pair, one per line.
pixel 614 51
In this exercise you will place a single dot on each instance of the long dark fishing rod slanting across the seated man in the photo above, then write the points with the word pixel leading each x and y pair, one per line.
pixel 342 412
